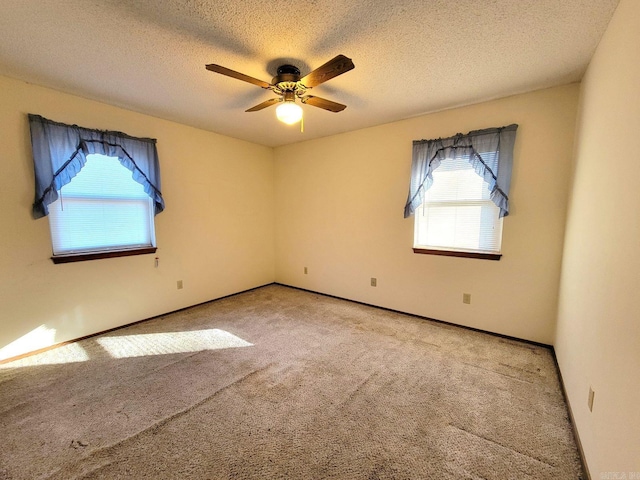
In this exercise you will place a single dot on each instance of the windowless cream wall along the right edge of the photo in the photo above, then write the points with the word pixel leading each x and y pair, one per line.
pixel 598 337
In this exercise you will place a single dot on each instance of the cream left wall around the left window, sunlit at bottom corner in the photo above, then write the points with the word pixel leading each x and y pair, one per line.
pixel 216 233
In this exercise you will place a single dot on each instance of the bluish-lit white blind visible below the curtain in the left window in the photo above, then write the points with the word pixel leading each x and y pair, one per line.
pixel 102 209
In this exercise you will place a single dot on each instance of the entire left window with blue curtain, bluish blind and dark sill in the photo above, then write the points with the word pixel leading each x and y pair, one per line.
pixel 100 189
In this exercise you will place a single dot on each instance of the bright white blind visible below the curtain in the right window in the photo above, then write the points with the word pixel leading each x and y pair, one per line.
pixel 457 213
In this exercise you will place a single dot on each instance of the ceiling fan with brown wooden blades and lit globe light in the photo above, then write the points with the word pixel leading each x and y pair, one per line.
pixel 289 85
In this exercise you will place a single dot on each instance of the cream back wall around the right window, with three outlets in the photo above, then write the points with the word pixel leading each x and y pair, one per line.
pixel 339 204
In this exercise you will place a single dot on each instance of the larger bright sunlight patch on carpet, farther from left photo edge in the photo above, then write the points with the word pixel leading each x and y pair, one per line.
pixel 171 342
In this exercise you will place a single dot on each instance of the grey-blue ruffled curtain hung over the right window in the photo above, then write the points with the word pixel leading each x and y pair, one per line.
pixel 489 151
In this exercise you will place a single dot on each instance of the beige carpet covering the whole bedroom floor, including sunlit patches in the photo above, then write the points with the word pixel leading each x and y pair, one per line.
pixel 278 383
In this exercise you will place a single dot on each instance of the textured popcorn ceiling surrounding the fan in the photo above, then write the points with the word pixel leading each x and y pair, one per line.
pixel 412 56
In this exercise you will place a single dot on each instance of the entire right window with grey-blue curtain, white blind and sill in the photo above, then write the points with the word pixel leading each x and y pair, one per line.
pixel 459 192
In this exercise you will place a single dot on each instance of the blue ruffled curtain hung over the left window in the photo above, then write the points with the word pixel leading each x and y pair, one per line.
pixel 60 151
